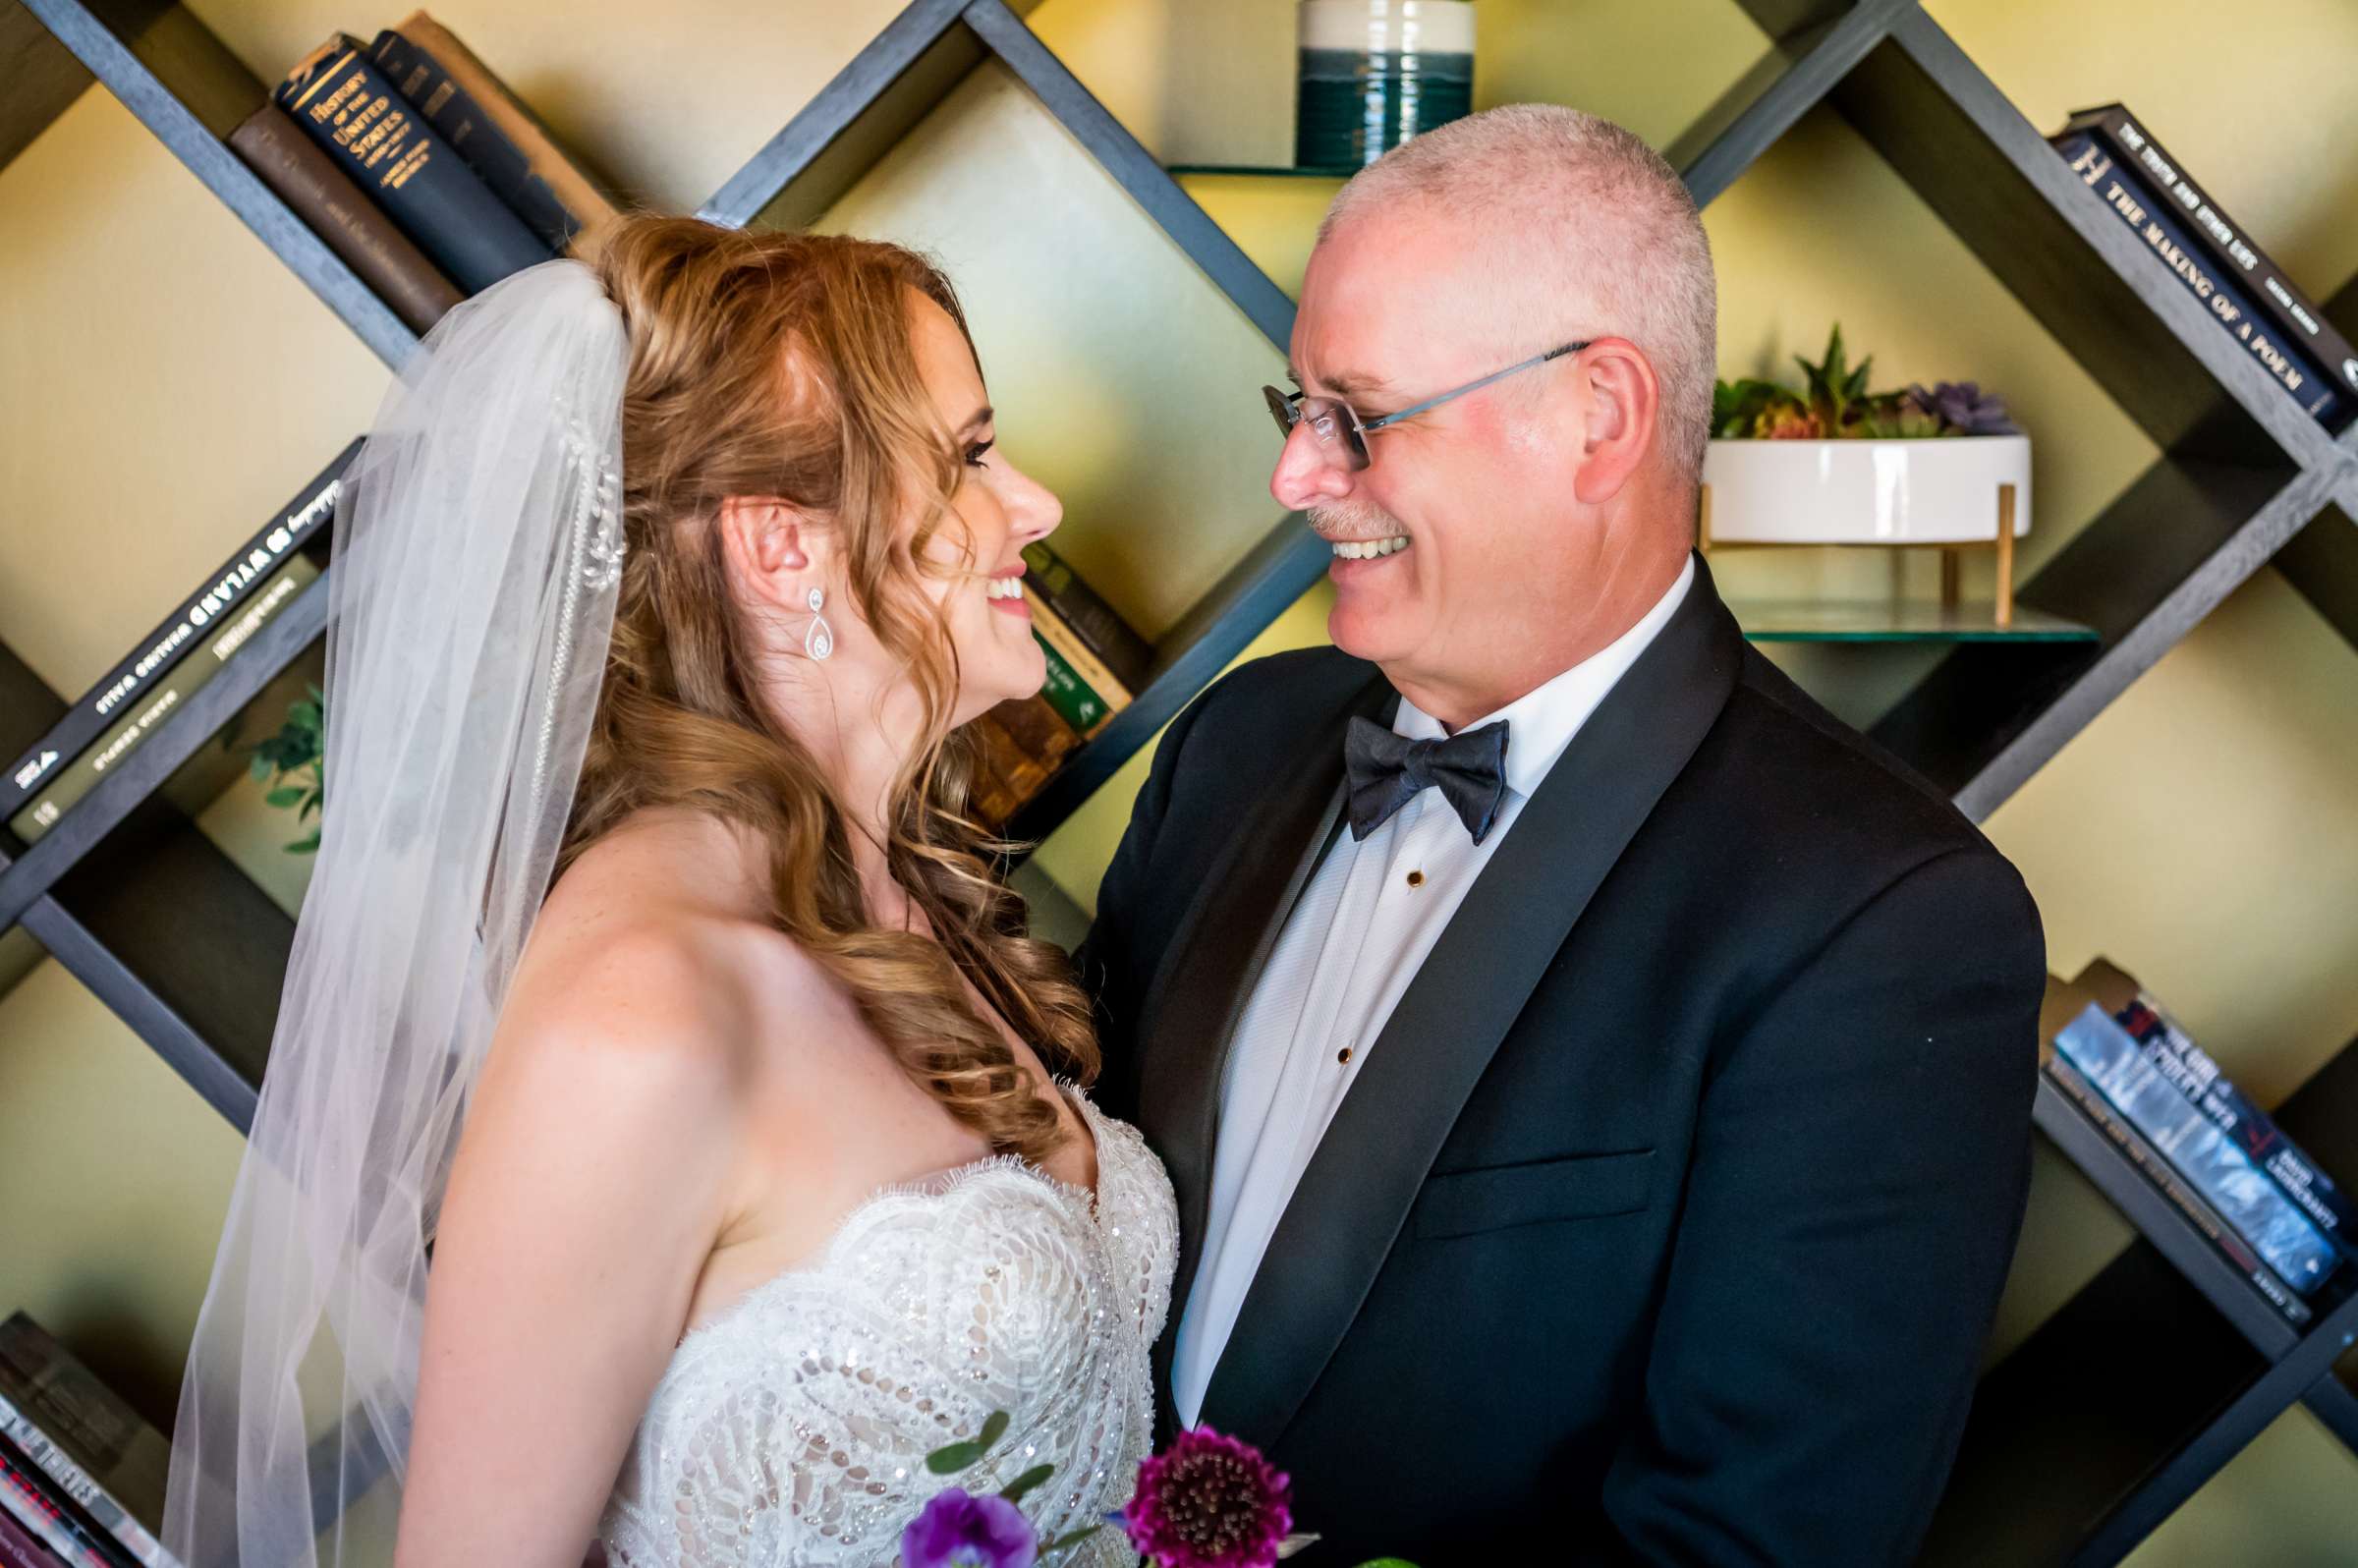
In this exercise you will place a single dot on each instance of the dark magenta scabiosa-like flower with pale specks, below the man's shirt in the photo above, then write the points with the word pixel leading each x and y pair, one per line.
pixel 1211 1503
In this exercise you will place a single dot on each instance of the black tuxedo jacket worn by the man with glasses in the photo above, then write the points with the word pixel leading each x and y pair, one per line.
pixel 1671 1208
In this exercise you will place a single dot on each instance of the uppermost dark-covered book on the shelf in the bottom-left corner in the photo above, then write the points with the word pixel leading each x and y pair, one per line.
pixel 84 1437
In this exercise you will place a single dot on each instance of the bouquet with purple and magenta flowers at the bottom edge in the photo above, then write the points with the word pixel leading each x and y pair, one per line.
pixel 1208 1501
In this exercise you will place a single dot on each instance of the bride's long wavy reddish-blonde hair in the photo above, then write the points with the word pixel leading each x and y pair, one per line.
pixel 782 367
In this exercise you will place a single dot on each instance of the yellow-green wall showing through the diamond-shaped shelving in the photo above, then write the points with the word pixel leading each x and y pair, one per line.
pixel 164 383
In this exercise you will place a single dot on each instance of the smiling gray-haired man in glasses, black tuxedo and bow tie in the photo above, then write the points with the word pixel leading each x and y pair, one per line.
pixel 1598 1083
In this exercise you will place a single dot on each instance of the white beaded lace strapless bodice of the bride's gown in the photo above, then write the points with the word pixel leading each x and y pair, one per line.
pixel 791 1432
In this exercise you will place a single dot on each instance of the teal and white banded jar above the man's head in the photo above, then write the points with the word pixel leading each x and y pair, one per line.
pixel 1376 74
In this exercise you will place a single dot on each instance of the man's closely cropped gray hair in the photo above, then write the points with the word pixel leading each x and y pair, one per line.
pixel 1586 230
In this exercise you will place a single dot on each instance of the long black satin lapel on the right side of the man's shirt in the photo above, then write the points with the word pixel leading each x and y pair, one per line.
pixel 1376 1154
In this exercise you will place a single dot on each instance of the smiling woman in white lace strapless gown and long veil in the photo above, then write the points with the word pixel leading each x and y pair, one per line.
pixel 763 1168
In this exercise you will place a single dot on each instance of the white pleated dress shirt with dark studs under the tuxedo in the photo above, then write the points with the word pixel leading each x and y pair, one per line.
pixel 1355 942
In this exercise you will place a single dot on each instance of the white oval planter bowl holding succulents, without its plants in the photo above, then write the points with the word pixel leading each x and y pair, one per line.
pixel 1937 492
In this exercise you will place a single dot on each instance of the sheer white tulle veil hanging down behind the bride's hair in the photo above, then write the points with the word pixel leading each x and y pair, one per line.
pixel 477 553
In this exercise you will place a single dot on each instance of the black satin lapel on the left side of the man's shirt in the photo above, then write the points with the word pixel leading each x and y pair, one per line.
pixel 1218 954
